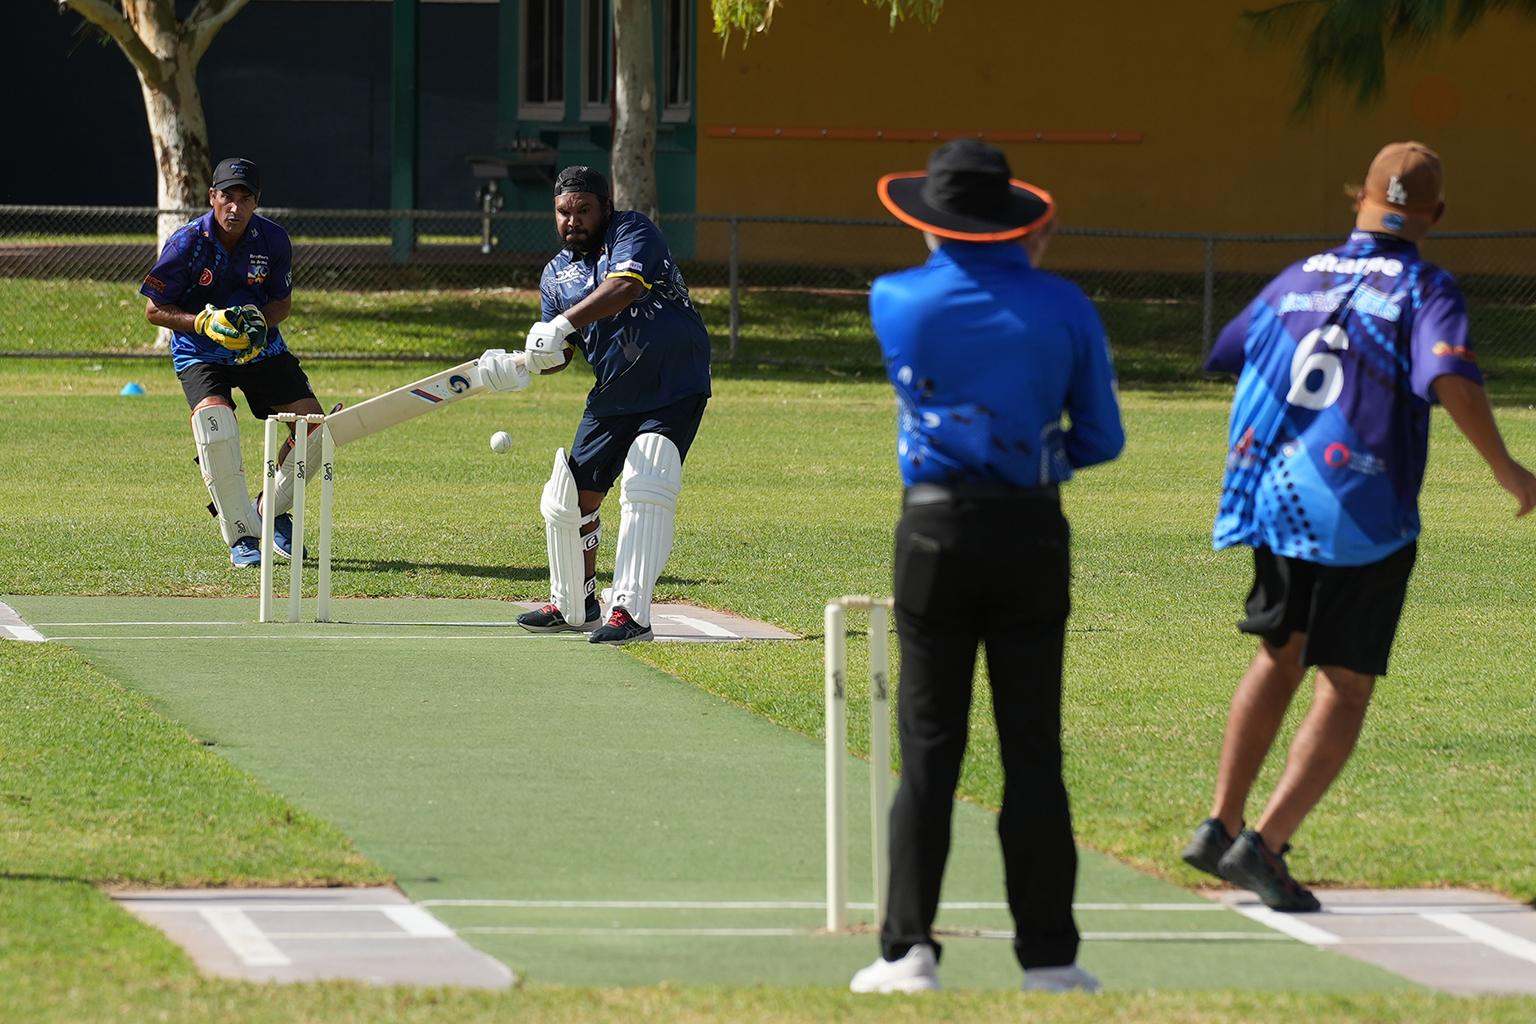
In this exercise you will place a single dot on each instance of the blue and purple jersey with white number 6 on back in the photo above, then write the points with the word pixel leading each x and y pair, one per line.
pixel 1329 429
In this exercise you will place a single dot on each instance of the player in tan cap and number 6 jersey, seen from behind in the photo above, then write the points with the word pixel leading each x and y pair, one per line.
pixel 1339 362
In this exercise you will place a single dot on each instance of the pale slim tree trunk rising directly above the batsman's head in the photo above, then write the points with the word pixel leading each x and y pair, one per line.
pixel 635 108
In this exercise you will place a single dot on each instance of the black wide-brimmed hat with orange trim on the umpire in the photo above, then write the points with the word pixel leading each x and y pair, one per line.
pixel 968 194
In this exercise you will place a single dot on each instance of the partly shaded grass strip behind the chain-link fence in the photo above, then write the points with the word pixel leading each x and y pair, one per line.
pixel 1154 326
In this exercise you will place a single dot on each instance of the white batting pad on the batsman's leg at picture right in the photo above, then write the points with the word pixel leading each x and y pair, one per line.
pixel 647 503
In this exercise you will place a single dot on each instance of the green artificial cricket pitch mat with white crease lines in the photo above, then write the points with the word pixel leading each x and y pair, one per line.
pixel 595 822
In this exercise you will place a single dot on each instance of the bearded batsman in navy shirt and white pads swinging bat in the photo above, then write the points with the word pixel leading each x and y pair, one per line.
pixel 617 292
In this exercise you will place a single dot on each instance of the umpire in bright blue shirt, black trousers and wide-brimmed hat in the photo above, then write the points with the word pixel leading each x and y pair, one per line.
pixel 987 354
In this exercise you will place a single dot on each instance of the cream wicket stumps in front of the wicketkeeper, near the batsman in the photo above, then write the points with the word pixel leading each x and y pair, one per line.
pixel 300 455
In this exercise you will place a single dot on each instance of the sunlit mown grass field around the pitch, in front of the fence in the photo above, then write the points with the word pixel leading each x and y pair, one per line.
pixel 790 498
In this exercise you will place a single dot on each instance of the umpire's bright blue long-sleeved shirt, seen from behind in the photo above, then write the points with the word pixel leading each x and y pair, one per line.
pixel 987 354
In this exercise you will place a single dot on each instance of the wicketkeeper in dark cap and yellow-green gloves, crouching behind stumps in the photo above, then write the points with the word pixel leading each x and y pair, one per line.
pixel 222 286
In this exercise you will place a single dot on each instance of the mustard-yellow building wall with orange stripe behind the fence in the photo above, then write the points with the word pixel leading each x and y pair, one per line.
pixel 1219 150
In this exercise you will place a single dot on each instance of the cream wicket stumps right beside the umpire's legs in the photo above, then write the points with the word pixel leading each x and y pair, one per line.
pixel 838 756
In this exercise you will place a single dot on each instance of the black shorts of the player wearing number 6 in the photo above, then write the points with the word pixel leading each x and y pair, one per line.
pixel 1348 612
